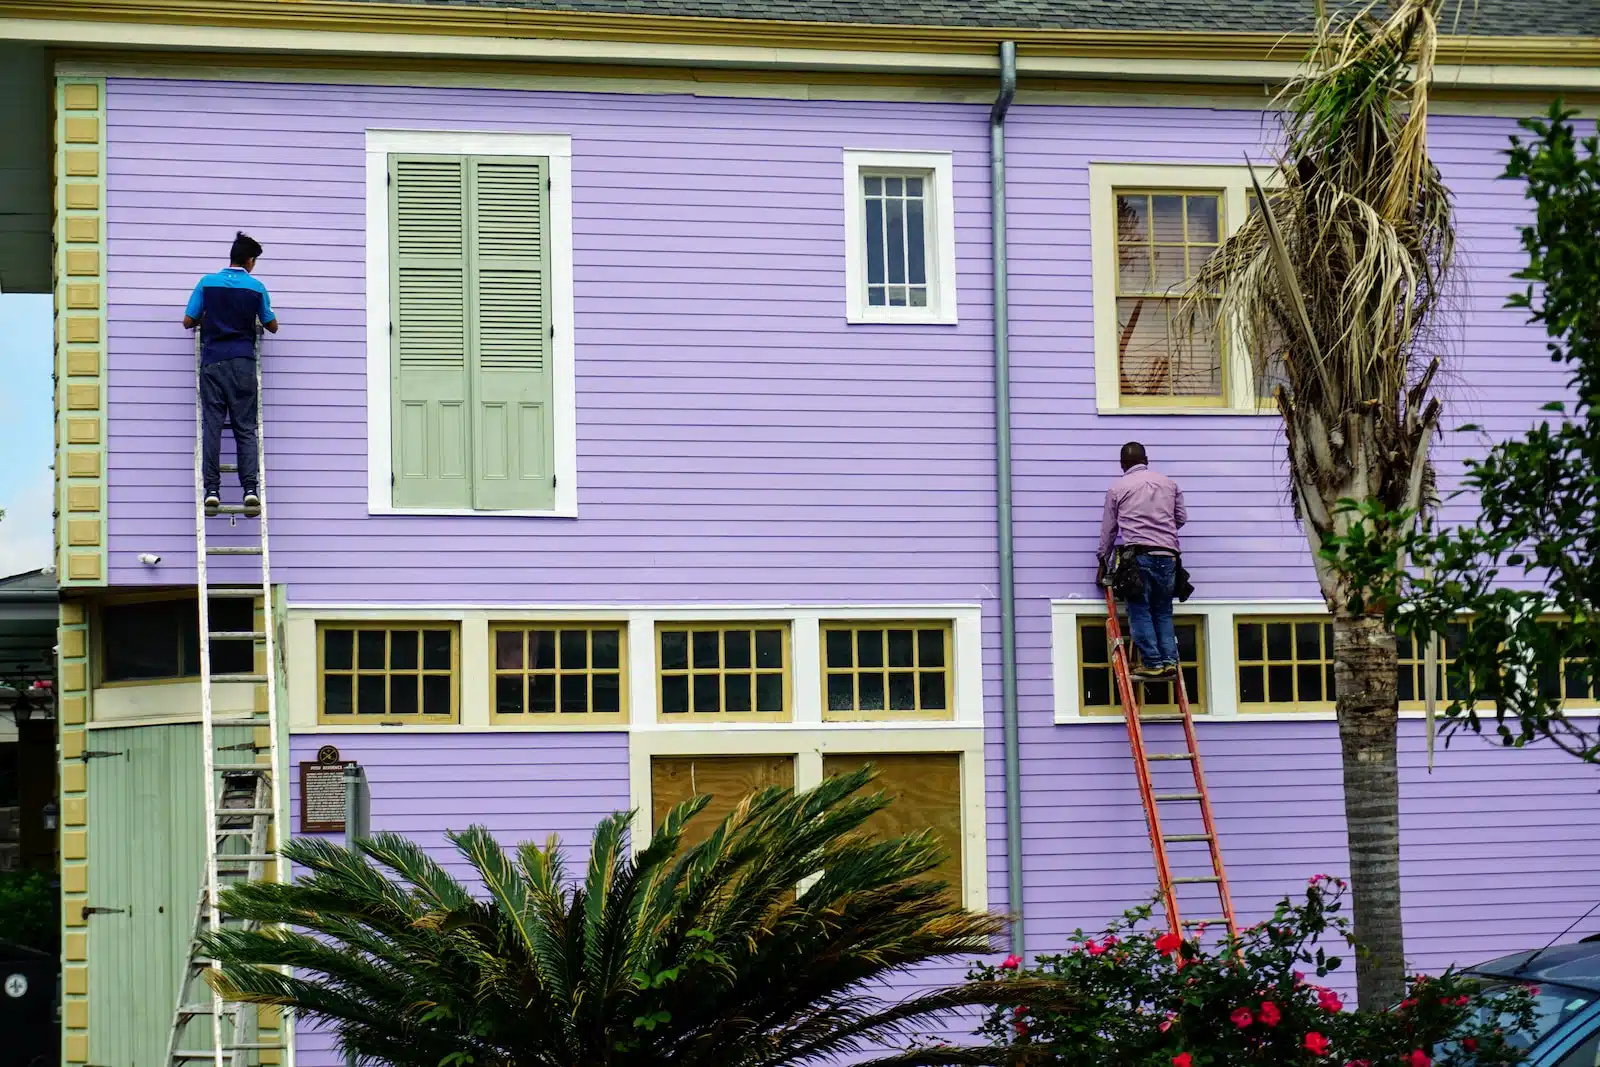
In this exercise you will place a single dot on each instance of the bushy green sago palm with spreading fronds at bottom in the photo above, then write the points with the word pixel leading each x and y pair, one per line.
pixel 703 956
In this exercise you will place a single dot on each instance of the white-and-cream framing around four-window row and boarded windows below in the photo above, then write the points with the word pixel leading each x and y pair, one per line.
pixel 807 737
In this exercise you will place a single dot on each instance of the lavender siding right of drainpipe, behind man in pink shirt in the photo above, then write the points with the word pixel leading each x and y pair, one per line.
pixel 1486 865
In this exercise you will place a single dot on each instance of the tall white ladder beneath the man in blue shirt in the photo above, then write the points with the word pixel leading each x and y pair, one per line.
pixel 241 788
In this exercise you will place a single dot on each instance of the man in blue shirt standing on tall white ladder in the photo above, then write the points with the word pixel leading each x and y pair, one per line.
pixel 226 306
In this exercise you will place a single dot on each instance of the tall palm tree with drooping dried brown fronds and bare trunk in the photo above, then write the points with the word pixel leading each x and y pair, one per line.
pixel 1337 292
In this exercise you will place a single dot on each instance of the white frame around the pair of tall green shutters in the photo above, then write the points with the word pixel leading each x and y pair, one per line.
pixel 380 446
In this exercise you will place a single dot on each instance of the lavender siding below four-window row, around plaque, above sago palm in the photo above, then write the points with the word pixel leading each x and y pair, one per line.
pixel 524 788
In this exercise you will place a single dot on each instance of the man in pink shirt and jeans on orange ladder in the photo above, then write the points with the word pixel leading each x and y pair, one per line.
pixel 1145 511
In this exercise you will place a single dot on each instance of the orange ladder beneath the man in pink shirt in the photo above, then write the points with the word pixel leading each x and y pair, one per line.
pixel 1143 765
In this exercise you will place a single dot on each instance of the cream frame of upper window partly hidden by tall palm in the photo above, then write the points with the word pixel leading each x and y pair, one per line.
pixel 1105 178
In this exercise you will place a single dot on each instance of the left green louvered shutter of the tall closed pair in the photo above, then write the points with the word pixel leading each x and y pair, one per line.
pixel 428 206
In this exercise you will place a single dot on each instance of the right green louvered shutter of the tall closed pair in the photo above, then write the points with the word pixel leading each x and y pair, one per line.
pixel 513 436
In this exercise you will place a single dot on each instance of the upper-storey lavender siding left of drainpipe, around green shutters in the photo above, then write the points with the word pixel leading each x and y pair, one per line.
pixel 737 441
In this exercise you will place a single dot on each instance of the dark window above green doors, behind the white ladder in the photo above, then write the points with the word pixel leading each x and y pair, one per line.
pixel 159 641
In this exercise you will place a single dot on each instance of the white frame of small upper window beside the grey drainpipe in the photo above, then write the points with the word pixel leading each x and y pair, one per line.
pixel 938 226
